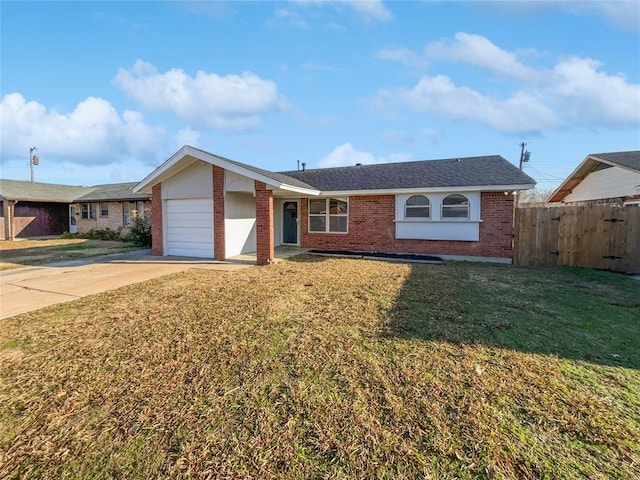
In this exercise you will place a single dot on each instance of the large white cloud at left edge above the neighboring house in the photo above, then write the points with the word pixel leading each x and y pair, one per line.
pixel 92 133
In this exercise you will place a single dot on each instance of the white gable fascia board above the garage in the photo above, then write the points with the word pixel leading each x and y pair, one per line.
pixel 159 173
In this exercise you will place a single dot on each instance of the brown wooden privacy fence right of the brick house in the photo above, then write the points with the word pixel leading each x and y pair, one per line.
pixel 596 236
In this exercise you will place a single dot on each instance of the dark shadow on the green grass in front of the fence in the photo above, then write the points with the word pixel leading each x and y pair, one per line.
pixel 573 313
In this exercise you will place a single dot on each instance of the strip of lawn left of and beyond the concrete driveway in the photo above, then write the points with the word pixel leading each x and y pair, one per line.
pixel 20 253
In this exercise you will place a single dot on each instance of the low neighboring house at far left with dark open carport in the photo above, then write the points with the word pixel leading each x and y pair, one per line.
pixel 31 209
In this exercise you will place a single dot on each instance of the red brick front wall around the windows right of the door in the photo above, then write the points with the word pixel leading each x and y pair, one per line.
pixel 372 228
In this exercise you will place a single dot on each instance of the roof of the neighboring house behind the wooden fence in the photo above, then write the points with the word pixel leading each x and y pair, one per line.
pixel 593 162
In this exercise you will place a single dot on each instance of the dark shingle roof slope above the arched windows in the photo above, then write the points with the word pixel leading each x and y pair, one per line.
pixel 464 172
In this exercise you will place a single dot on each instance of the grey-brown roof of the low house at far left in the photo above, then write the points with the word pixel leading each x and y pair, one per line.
pixel 51 192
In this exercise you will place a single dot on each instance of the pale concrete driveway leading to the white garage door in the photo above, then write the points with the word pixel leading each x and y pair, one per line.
pixel 31 288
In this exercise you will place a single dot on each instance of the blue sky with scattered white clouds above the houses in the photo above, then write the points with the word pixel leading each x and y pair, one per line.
pixel 109 90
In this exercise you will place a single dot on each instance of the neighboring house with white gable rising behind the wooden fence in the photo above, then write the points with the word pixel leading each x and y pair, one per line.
pixel 612 177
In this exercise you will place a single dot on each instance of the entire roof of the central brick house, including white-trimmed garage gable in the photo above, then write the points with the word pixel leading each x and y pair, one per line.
pixel 487 173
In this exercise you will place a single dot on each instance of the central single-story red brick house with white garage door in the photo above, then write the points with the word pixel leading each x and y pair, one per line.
pixel 208 206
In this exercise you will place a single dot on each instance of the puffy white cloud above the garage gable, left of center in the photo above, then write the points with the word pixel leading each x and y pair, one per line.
pixel 229 102
